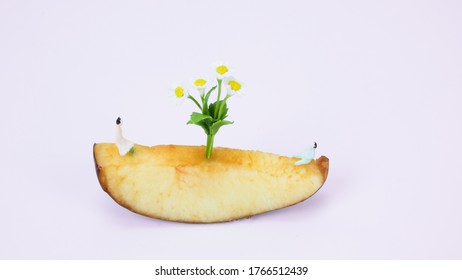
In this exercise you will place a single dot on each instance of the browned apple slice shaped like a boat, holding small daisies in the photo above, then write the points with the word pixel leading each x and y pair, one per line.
pixel 177 183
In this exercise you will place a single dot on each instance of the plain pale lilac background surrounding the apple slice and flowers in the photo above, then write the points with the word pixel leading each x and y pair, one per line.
pixel 376 83
